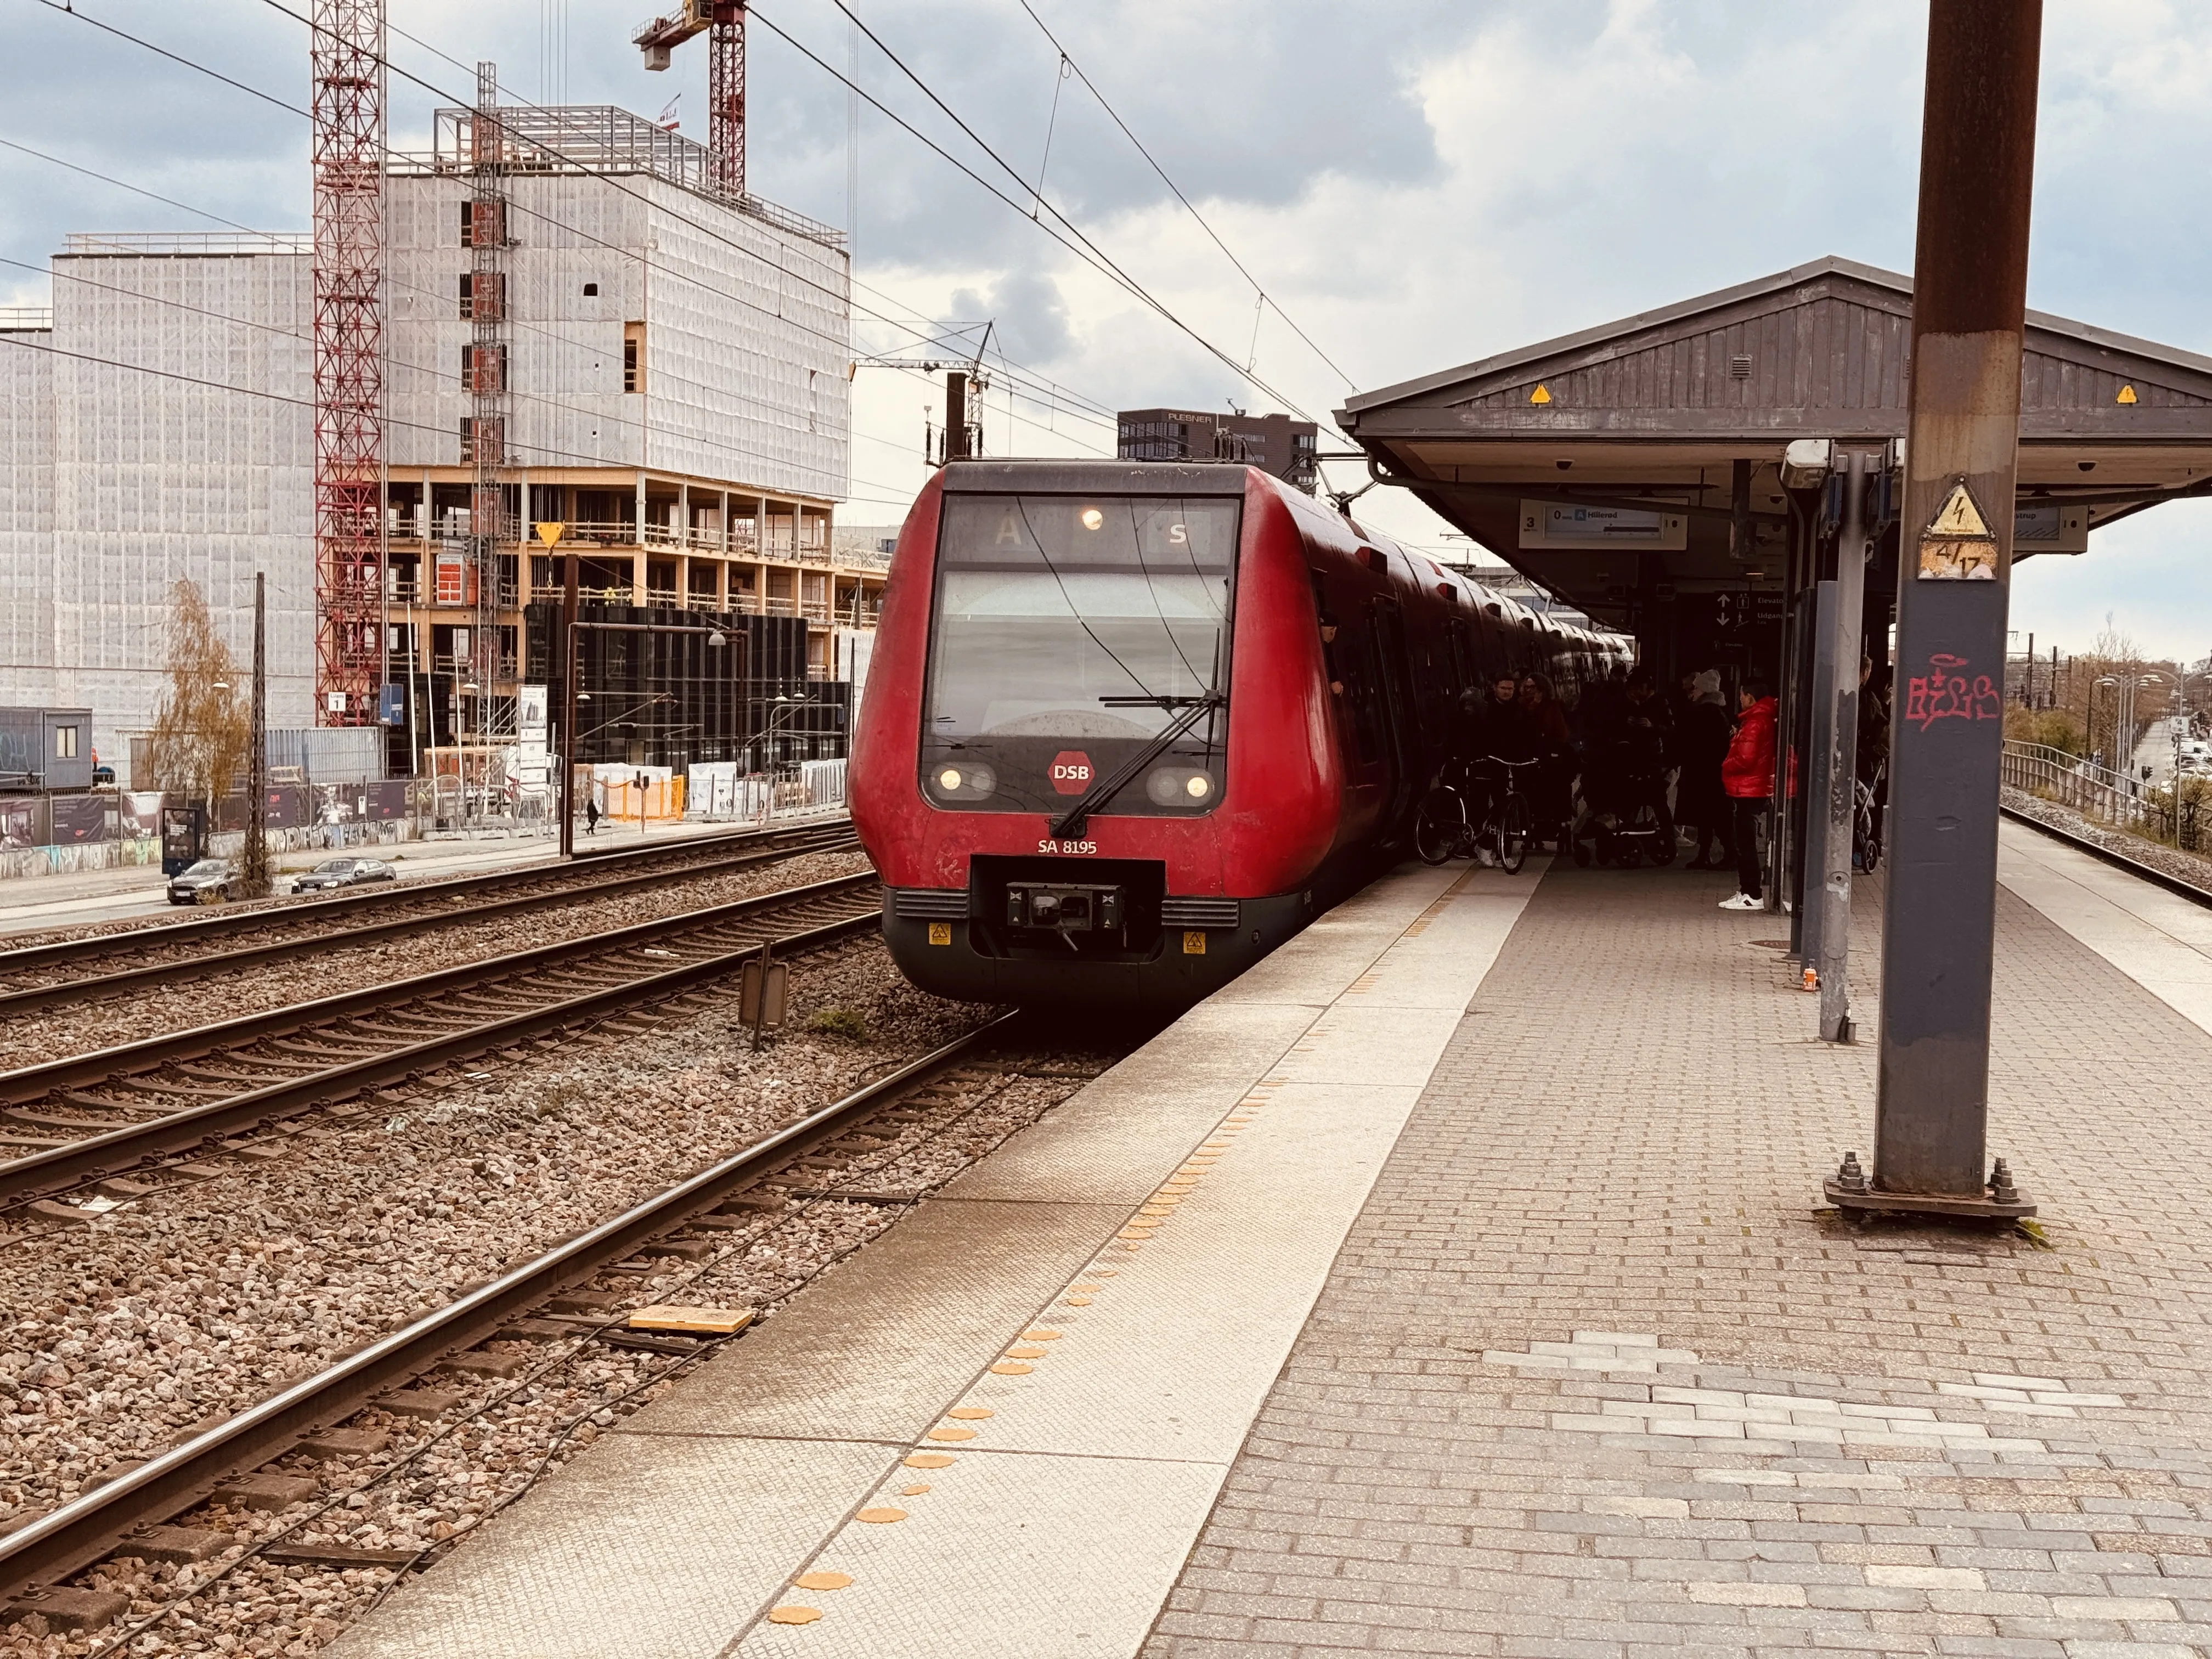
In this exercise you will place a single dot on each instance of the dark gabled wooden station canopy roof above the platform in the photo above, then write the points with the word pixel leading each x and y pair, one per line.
pixel 1605 463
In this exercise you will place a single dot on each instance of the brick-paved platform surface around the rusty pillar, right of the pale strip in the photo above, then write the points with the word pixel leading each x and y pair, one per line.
pixel 1592 1379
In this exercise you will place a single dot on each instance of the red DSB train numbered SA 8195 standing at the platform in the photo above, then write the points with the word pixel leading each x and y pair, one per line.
pixel 1129 727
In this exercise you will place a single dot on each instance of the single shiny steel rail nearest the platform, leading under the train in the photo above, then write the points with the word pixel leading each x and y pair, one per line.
pixel 98 1523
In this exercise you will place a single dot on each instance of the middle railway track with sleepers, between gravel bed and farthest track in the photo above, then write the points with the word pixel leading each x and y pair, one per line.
pixel 94 1118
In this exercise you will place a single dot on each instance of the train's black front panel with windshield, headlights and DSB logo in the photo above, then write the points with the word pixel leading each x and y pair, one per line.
pixel 1067 636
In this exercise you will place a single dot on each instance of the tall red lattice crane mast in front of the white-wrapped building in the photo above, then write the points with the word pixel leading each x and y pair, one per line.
pixel 348 63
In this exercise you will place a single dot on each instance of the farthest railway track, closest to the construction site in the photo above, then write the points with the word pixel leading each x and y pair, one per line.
pixel 105 966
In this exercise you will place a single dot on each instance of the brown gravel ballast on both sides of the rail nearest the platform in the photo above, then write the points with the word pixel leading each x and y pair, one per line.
pixel 198 1302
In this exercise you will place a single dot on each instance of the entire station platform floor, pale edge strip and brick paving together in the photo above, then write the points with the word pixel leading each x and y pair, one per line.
pixel 1452 1284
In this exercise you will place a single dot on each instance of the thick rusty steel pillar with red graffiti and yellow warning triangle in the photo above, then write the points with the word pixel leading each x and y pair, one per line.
pixel 1954 581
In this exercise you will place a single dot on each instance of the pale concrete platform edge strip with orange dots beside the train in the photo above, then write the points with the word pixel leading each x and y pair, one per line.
pixel 1008 1421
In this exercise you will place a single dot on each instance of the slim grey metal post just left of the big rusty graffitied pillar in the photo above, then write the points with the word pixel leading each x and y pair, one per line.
pixel 1837 802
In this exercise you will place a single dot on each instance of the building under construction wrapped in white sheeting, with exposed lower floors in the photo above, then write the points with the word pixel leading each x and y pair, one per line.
pixel 587 348
